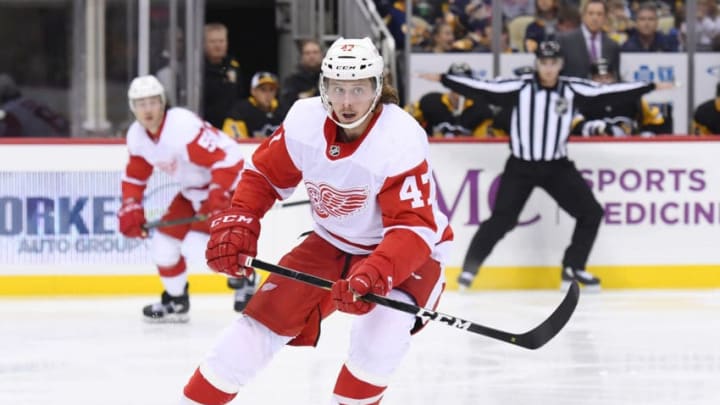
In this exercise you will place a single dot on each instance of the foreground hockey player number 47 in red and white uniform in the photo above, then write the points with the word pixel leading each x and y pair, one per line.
pixel 364 163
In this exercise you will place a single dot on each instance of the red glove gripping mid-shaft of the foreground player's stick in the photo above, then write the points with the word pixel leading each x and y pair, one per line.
pixel 369 275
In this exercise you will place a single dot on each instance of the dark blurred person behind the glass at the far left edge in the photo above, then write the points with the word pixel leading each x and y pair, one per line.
pixel 24 117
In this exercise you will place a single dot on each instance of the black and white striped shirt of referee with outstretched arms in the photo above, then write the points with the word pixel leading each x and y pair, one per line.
pixel 541 117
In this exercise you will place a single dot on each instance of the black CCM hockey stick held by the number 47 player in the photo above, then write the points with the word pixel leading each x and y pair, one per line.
pixel 532 339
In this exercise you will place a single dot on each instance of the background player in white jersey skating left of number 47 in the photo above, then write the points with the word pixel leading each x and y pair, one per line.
pixel 204 161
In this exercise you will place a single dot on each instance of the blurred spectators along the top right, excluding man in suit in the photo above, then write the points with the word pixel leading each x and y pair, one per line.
pixel 465 25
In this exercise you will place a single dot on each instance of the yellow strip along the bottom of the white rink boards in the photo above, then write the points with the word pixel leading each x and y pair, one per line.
pixel 489 278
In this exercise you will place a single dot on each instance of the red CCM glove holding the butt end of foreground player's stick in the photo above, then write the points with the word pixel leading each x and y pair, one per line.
pixel 232 232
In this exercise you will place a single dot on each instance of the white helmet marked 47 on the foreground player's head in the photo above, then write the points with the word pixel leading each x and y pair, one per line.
pixel 351 59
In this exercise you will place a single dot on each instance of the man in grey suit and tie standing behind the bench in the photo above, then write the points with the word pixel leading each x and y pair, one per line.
pixel 590 40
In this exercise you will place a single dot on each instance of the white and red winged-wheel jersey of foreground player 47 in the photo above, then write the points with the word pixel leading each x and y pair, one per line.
pixel 360 190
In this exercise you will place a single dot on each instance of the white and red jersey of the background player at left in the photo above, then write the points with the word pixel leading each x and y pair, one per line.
pixel 190 150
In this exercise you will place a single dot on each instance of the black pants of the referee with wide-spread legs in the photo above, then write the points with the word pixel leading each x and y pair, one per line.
pixel 563 182
